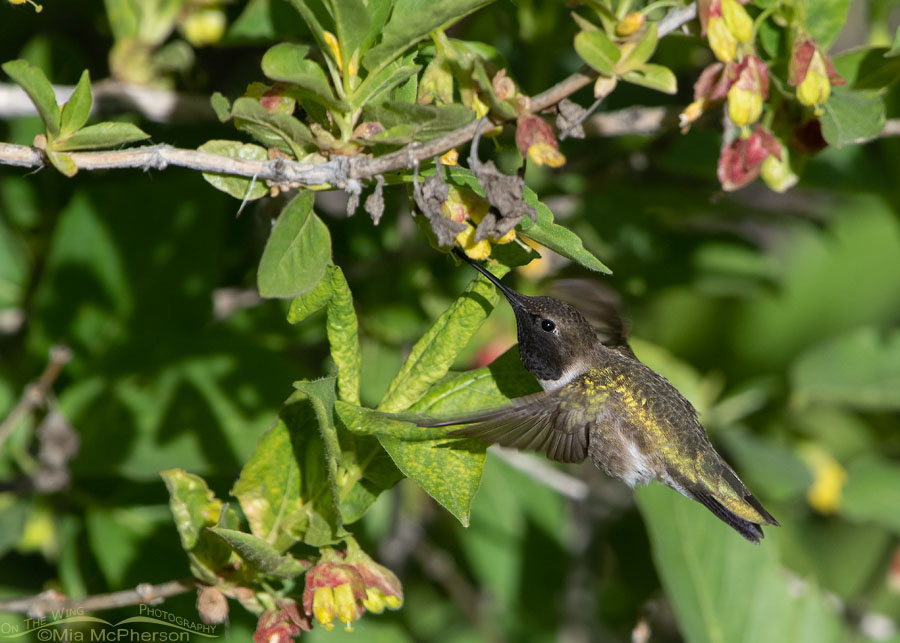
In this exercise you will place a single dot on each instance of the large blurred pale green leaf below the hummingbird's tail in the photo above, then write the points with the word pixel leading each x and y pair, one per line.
pixel 723 589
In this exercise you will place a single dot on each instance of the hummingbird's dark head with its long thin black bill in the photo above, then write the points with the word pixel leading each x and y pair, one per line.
pixel 554 338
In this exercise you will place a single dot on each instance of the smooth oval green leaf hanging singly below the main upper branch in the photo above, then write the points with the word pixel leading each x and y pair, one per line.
pixel 297 252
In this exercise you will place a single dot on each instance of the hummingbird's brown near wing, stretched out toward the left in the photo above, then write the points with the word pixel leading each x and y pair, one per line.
pixel 543 422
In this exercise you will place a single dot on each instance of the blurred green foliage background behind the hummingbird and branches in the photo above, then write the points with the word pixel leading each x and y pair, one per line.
pixel 777 315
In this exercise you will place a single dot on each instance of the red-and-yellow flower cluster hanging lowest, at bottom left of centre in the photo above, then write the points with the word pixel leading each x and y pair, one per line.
pixel 343 585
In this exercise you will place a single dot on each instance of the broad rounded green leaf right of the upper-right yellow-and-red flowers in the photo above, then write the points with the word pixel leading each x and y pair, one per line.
pixel 852 117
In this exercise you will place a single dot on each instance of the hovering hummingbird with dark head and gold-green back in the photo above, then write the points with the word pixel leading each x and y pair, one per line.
pixel 600 402
